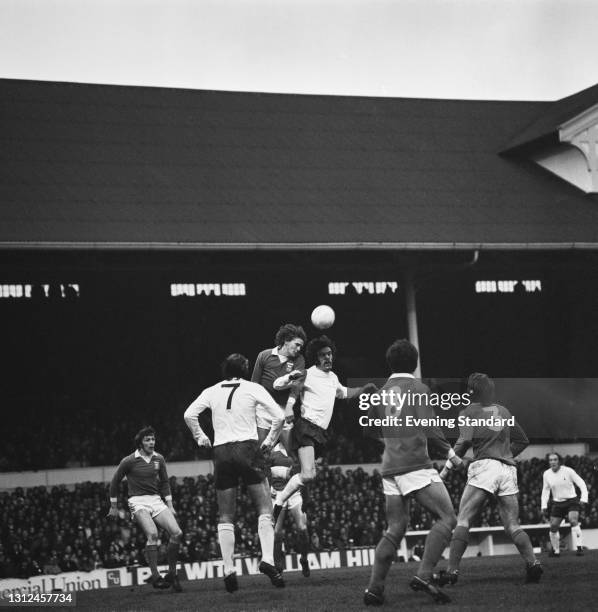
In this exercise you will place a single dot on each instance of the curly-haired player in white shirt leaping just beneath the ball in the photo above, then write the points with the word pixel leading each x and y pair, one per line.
pixel 319 390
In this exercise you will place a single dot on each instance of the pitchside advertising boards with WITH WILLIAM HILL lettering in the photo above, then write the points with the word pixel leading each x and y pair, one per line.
pixel 487 541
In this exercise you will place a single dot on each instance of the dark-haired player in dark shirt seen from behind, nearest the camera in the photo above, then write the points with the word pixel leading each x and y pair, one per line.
pixel 407 470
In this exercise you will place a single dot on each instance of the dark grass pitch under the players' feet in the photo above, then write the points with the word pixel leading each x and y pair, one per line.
pixel 486 583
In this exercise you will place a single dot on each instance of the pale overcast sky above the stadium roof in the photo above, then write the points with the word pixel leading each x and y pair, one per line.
pixel 463 49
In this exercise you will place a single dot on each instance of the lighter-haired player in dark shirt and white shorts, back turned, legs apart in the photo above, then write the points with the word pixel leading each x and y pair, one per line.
pixel 496 439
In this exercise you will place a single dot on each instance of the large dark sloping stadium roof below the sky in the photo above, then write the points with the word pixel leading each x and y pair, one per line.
pixel 111 166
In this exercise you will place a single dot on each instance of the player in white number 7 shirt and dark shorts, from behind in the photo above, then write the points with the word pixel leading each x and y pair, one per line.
pixel 237 453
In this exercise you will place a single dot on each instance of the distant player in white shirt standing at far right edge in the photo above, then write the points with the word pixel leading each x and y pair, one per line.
pixel 559 480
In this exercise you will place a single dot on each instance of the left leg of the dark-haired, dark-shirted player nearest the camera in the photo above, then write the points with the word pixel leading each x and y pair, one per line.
pixel 397 513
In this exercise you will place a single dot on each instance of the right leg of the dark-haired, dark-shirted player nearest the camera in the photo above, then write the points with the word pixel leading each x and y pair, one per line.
pixel 436 499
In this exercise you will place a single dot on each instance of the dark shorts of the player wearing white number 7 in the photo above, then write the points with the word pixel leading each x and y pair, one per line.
pixel 236 460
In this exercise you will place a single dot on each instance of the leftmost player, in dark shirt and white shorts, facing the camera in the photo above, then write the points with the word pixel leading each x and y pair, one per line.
pixel 147 483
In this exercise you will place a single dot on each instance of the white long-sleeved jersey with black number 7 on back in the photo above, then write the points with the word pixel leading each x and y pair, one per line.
pixel 233 404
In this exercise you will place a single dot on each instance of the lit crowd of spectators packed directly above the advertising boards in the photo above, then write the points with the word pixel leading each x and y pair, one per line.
pixel 66 529
